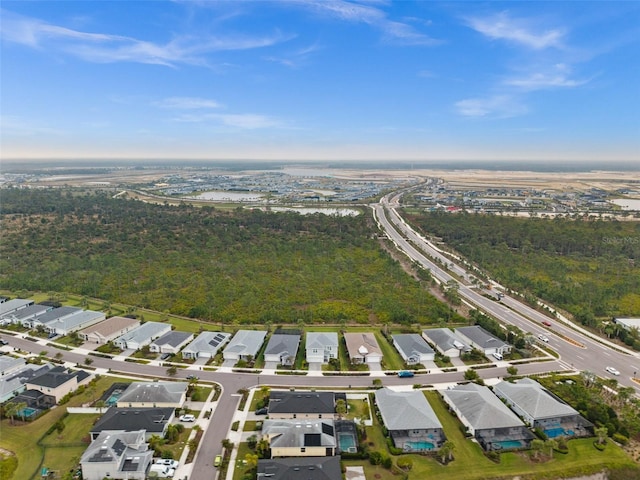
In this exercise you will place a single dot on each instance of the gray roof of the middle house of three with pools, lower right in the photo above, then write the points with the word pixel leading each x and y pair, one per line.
pixel 481 408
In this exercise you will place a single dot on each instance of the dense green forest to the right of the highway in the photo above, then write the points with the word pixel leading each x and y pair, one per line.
pixel 588 267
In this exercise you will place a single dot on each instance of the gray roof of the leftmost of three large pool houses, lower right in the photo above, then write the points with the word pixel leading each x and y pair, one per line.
pixel 405 410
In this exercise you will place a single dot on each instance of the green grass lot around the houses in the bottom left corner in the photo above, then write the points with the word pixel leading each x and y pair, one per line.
pixel 22 439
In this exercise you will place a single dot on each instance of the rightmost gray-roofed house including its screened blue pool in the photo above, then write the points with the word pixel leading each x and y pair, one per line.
pixel 541 409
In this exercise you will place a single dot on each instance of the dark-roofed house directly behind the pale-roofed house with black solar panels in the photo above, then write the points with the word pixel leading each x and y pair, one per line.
pixel 286 404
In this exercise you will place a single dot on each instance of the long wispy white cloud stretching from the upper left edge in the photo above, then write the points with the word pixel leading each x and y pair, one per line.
pixel 108 48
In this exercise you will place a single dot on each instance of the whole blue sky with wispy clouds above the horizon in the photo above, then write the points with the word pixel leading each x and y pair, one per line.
pixel 321 79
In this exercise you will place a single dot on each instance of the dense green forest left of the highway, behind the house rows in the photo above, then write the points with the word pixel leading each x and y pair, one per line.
pixel 240 266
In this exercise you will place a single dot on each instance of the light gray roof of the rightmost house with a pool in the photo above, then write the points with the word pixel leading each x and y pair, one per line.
pixel 532 398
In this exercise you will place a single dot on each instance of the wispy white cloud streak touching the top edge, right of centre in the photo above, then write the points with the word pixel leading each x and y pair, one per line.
pixel 393 31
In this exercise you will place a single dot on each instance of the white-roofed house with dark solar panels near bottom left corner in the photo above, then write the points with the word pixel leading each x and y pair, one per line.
pixel 123 455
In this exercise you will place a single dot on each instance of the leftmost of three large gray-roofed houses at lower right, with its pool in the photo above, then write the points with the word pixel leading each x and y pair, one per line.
pixel 411 422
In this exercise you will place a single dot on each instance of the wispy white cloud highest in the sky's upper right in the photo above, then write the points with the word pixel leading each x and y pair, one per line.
pixel 519 31
